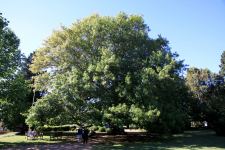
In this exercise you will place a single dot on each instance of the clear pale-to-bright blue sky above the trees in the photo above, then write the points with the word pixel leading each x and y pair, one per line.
pixel 195 28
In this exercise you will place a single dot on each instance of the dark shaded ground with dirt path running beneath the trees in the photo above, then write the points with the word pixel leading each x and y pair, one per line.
pixel 204 139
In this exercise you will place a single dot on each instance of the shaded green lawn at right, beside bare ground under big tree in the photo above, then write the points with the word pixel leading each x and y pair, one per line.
pixel 194 140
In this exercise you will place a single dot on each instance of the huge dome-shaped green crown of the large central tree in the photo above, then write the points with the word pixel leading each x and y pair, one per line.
pixel 100 68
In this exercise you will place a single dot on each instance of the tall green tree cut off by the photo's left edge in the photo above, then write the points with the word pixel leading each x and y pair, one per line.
pixel 13 86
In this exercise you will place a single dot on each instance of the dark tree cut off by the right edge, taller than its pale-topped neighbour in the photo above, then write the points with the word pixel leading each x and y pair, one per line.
pixel 215 94
